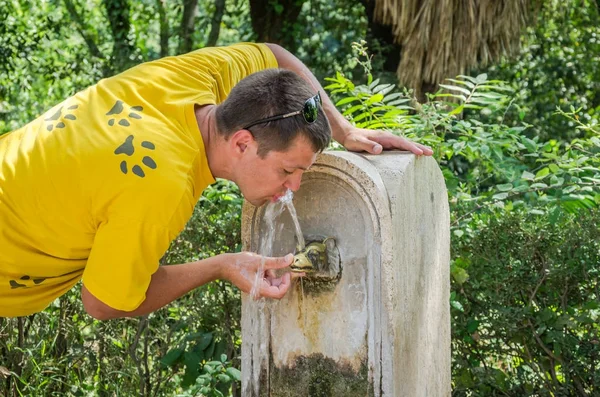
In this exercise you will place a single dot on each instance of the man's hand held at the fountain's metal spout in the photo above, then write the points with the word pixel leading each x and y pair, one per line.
pixel 244 268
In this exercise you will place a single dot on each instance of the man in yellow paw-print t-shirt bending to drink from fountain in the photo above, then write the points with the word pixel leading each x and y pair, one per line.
pixel 96 188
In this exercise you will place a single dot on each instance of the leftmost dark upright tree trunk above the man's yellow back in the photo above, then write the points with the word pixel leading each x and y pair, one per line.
pixel 118 16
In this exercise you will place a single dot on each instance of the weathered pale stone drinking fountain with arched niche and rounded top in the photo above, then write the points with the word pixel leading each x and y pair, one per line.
pixel 383 329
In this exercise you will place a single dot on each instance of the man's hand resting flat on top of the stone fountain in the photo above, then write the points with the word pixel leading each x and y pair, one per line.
pixel 374 141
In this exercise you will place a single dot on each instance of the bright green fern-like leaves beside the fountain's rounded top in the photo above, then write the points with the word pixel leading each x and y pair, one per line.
pixel 488 164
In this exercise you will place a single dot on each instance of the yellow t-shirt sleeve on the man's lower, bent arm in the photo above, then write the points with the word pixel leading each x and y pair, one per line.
pixel 123 259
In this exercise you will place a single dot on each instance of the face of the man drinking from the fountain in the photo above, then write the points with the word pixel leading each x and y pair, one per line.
pixel 266 179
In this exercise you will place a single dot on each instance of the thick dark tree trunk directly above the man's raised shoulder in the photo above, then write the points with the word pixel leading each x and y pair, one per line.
pixel 274 22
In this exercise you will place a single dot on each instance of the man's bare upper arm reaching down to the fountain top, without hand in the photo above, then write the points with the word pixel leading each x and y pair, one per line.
pixel 286 60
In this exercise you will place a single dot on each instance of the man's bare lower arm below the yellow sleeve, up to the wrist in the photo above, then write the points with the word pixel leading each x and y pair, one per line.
pixel 167 284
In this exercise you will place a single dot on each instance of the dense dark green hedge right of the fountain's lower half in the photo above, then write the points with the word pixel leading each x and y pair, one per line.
pixel 527 319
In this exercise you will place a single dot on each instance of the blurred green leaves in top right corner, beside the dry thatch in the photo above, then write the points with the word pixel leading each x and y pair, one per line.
pixel 557 67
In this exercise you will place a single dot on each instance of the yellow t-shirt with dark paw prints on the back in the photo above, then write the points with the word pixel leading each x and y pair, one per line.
pixel 99 185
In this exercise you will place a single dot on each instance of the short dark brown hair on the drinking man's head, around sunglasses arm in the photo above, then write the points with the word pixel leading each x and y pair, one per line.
pixel 268 93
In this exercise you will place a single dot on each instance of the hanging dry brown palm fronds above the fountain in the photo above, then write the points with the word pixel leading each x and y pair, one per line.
pixel 445 38
